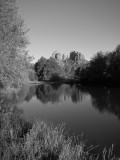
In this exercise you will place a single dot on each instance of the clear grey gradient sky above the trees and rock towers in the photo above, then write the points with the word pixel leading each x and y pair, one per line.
pixel 86 26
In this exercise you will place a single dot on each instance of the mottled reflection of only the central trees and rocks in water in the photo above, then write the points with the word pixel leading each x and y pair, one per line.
pixel 54 93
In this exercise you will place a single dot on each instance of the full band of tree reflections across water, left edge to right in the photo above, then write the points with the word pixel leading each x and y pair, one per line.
pixel 102 98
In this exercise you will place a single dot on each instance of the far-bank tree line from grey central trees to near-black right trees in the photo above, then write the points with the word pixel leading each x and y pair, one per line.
pixel 103 68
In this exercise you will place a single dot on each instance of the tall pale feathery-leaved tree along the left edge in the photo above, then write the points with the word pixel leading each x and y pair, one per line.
pixel 14 60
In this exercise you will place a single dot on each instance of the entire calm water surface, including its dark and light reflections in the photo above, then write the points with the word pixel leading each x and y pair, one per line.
pixel 91 111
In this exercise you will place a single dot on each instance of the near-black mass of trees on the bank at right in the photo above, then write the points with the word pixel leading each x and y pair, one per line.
pixel 103 68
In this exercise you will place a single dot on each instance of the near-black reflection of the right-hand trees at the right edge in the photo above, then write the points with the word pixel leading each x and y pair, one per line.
pixel 106 99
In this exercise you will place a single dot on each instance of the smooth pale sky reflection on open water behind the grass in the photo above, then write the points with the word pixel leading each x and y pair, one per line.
pixel 80 117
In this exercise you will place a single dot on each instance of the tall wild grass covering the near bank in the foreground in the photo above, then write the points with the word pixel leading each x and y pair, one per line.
pixel 23 140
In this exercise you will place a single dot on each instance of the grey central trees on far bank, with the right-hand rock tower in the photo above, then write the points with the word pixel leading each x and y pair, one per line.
pixel 58 70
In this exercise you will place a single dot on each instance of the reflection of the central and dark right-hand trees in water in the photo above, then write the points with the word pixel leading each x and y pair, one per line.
pixel 102 98
